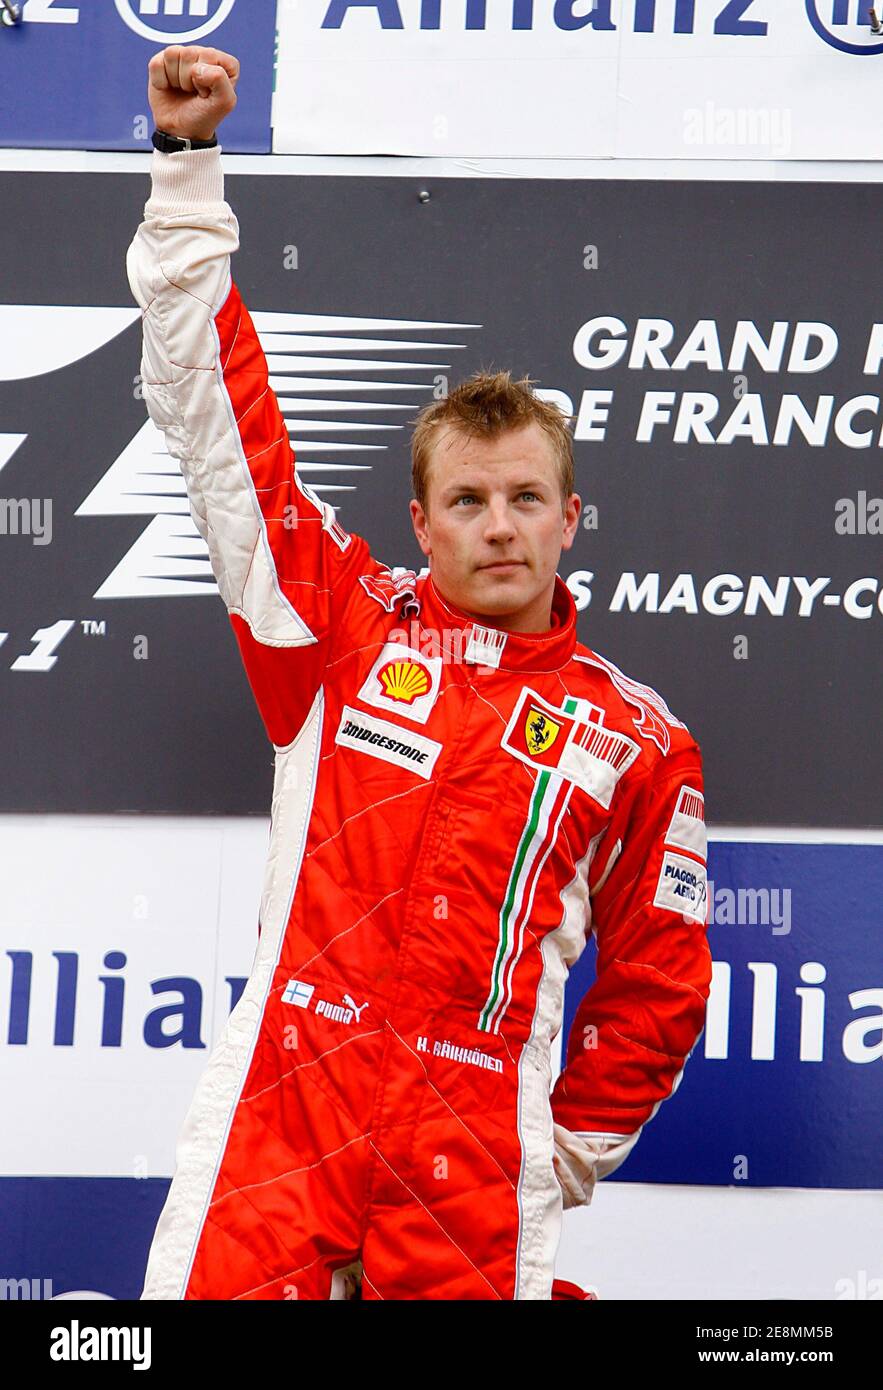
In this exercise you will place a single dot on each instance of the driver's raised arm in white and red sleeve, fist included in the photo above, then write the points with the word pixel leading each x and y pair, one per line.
pixel 284 566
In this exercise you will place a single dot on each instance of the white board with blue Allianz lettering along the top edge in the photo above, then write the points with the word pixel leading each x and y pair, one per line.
pixel 754 80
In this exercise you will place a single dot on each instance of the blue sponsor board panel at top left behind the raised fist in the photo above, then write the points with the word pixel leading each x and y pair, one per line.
pixel 76 76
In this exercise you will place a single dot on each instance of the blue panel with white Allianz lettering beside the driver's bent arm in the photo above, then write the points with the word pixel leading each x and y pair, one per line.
pixel 784 1088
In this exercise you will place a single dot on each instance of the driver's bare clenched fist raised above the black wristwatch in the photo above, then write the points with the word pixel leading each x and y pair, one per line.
pixel 193 90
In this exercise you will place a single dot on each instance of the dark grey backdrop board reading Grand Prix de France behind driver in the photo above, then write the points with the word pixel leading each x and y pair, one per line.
pixel 728 434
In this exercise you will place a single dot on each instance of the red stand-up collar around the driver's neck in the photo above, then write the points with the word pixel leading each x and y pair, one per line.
pixel 497 647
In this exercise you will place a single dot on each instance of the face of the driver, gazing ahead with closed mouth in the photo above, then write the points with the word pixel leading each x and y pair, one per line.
pixel 494 526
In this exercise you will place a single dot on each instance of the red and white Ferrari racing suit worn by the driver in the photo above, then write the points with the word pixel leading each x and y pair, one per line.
pixel 455 810
